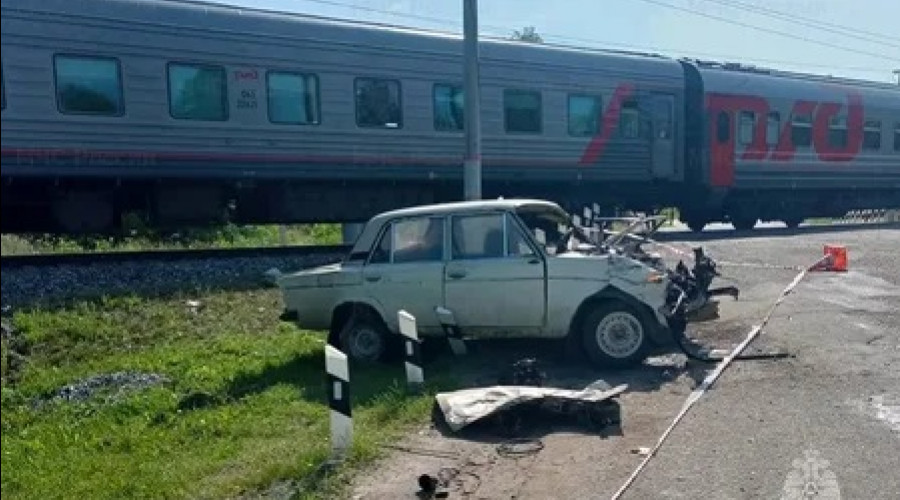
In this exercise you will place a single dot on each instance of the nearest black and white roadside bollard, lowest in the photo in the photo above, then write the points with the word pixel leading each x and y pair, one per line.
pixel 338 375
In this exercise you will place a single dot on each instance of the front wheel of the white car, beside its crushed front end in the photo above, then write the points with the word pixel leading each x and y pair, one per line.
pixel 615 335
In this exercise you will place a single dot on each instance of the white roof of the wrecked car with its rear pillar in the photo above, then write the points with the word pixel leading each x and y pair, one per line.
pixel 371 230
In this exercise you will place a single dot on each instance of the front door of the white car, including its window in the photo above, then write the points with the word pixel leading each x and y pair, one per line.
pixel 494 281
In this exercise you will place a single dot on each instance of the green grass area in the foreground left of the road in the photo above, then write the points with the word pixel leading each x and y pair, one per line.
pixel 244 407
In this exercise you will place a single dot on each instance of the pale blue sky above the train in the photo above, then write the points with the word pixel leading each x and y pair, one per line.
pixel 849 38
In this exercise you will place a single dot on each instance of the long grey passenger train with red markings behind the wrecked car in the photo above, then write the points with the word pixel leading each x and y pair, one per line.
pixel 185 112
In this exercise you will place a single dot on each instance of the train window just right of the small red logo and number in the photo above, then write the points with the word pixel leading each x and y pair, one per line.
pixel 293 98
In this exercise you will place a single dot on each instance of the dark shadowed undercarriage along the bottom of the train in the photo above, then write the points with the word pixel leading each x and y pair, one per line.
pixel 100 207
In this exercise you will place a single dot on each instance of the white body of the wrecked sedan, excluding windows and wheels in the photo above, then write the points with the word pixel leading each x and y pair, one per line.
pixel 512 296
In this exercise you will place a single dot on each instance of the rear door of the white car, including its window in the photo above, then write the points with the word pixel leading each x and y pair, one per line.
pixel 405 270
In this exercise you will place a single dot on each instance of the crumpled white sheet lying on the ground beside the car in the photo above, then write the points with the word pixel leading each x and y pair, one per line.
pixel 465 406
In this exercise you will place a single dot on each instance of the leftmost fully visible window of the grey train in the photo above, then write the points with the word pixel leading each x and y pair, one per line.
pixel 88 85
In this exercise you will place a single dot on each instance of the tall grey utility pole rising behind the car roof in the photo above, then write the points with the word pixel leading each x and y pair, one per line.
pixel 472 95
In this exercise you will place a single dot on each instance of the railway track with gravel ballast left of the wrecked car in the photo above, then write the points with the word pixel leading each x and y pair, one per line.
pixel 55 279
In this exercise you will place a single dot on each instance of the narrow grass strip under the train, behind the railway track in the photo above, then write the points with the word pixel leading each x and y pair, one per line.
pixel 227 236
